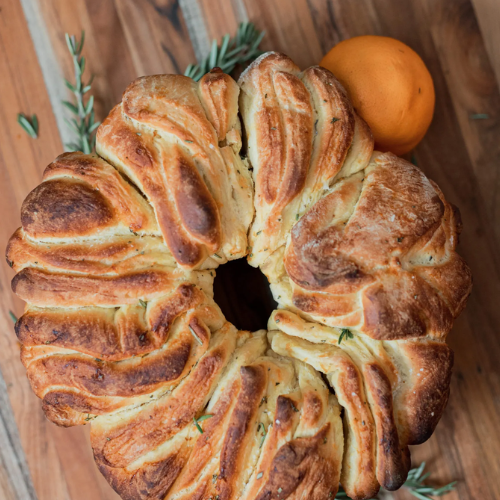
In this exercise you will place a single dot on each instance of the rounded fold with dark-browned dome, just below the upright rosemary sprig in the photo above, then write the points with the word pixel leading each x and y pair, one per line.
pixel 83 196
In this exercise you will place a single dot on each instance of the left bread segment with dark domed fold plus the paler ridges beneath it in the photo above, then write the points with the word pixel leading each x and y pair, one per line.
pixel 86 219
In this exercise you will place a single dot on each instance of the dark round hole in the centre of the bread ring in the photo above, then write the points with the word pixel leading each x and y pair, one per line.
pixel 243 294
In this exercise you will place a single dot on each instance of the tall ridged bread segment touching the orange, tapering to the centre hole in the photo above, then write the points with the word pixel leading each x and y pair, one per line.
pixel 302 134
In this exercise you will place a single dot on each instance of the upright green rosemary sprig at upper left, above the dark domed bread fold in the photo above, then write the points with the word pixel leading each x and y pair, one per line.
pixel 83 124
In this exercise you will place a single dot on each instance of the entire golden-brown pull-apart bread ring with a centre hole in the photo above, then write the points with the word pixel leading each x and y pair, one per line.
pixel 116 258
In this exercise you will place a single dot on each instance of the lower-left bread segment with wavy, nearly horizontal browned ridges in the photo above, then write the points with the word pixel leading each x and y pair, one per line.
pixel 89 361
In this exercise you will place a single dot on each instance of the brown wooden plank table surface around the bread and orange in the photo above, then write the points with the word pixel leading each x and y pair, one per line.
pixel 460 42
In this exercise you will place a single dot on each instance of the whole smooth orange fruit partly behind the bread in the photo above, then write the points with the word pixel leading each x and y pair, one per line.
pixel 390 88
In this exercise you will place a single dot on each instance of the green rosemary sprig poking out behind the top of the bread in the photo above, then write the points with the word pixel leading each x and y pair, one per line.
pixel 241 49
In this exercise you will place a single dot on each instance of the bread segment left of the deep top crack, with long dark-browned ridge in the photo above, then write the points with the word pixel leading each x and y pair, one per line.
pixel 179 142
